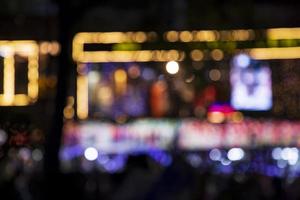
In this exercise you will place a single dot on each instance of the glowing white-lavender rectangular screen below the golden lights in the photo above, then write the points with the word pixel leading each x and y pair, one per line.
pixel 251 85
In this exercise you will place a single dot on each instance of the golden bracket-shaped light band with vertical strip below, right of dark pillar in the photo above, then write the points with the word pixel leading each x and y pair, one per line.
pixel 81 56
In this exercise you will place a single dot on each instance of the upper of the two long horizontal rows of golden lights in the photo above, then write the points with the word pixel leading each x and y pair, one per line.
pixel 185 36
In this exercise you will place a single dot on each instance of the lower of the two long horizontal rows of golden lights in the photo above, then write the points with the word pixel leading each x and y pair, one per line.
pixel 195 55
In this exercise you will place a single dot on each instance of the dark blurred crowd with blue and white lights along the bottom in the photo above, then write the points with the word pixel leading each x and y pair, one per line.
pixel 255 172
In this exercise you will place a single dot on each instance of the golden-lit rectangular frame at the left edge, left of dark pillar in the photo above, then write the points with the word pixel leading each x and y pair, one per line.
pixel 30 50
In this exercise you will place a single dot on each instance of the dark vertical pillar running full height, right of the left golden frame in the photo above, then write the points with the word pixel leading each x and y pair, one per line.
pixel 53 178
